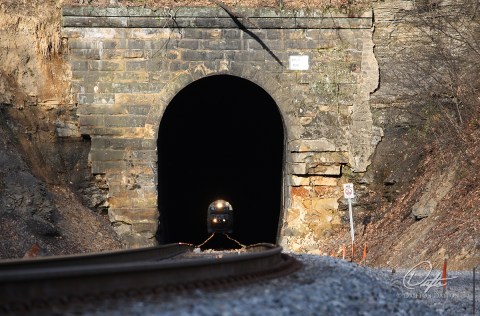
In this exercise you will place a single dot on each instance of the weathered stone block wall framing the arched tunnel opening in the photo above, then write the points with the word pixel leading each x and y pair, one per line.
pixel 128 63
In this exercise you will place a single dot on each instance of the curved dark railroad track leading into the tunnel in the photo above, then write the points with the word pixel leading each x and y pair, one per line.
pixel 31 284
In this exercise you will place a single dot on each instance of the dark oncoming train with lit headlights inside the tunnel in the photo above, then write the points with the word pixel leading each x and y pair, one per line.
pixel 220 217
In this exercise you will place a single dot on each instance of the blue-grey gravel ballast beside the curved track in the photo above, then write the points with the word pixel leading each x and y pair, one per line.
pixel 324 286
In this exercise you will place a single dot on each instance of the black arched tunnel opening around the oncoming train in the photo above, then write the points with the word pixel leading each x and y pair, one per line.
pixel 221 137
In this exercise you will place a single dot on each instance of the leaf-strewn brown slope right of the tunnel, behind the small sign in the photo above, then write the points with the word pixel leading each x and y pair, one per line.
pixel 429 206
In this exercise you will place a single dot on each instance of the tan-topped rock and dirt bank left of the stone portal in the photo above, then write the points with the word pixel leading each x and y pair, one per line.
pixel 43 159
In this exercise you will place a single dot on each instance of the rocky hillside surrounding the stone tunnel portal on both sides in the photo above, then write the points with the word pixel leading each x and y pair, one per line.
pixel 419 200
